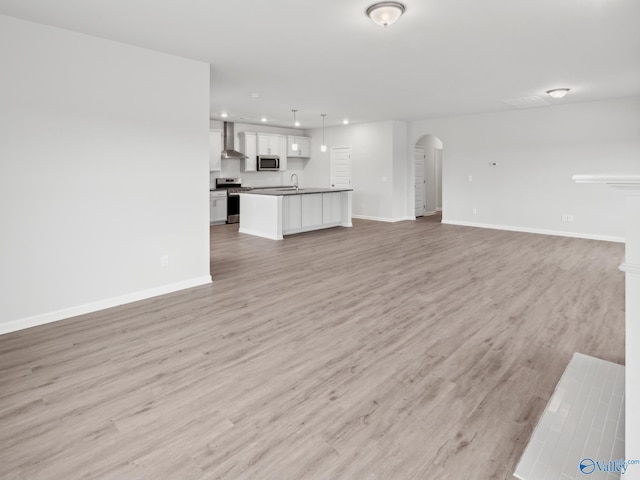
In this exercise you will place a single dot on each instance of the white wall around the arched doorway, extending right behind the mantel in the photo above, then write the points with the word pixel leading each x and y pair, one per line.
pixel 537 151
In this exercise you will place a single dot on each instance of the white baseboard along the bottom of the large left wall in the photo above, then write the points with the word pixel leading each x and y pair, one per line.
pixel 34 321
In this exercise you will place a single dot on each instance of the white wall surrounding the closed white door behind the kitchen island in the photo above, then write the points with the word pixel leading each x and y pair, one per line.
pixel 379 163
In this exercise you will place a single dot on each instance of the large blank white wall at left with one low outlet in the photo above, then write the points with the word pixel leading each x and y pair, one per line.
pixel 103 170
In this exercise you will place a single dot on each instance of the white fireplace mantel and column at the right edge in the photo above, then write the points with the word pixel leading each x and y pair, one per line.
pixel 630 185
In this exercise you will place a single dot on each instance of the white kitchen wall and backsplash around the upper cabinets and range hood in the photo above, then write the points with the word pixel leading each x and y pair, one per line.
pixel 232 168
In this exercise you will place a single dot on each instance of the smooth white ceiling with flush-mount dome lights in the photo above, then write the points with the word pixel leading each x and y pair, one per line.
pixel 442 58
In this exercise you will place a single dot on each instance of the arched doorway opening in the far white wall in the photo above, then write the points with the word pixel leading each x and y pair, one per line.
pixel 428 176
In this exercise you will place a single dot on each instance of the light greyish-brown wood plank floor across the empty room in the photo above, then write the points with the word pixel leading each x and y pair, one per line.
pixel 400 351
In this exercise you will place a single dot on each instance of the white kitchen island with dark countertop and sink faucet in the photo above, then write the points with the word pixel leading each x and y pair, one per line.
pixel 275 212
